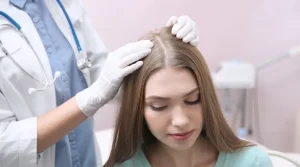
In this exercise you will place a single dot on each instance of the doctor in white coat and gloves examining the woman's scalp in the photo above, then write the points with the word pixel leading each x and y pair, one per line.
pixel 55 73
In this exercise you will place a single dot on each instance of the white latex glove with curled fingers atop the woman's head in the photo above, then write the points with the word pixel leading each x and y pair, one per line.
pixel 184 28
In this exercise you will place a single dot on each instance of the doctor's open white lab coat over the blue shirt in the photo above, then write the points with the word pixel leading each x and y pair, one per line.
pixel 18 109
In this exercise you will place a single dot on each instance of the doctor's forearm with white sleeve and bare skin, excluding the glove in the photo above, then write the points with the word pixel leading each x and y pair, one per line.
pixel 22 140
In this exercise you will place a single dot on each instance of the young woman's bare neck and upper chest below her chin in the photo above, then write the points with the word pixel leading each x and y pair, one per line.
pixel 201 153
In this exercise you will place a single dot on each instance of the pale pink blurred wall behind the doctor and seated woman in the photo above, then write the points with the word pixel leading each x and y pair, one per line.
pixel 241 31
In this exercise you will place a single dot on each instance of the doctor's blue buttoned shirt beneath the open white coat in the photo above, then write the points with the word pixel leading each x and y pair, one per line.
pixel 77 148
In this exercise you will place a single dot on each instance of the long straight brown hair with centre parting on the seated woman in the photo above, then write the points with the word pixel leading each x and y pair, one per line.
pixel 131 131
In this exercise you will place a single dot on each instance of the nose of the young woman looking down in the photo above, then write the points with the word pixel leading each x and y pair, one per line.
pixel 180 118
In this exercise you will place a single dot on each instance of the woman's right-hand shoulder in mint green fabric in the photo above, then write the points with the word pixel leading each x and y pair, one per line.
pixel 249 156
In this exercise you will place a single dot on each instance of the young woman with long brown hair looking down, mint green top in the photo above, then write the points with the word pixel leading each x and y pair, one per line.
pixel 170 115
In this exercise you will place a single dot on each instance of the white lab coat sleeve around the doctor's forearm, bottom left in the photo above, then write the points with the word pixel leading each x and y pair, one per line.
pixel 18 139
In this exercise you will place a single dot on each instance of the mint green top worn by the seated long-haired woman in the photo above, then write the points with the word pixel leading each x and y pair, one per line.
pixel 246 157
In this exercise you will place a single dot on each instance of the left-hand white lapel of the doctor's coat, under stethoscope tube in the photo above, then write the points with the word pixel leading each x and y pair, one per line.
pixel 25 57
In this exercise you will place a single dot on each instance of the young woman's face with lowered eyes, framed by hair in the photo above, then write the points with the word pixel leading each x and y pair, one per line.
pixel 172 107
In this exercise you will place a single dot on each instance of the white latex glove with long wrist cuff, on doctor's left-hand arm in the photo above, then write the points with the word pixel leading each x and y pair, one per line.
pixel 117 65
